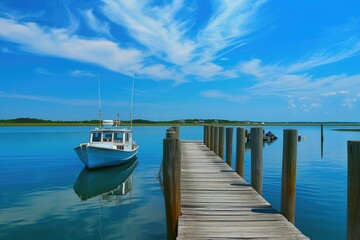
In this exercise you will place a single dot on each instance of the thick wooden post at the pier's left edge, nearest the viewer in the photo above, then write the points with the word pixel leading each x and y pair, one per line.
pixel 172 181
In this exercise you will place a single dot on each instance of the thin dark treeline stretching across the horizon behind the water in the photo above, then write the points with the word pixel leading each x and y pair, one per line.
pixel 143 121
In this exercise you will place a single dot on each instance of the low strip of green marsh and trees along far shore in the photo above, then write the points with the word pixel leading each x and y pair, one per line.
pixel 183 122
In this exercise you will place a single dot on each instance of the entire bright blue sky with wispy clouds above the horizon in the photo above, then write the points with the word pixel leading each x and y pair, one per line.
pixel 239 60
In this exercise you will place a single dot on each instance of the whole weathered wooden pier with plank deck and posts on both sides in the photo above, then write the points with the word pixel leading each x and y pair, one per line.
pixel 206 199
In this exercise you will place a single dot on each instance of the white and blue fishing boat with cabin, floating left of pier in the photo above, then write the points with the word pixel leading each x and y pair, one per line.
pixel 108 146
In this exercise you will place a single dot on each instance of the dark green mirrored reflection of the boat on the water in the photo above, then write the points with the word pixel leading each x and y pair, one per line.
pixel 109 183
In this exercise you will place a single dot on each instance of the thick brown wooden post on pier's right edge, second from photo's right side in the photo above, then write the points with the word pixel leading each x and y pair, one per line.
pixel 288 182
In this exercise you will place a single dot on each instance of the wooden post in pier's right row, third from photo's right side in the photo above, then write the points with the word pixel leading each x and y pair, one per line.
pixel 256 139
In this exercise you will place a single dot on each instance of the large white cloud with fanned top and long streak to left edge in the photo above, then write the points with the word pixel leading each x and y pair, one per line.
pixel 164 44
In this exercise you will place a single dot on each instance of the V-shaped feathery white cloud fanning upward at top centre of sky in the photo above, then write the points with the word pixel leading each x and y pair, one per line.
pixel 161 31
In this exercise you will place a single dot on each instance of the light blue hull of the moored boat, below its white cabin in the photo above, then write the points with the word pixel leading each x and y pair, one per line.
pixel 97 157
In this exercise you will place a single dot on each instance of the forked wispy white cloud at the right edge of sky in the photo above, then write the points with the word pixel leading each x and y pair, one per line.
pixel 282 79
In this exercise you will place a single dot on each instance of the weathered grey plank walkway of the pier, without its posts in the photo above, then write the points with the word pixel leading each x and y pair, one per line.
pixel 216 203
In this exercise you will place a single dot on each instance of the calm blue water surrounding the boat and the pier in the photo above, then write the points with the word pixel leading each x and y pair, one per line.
pixel 45 193
